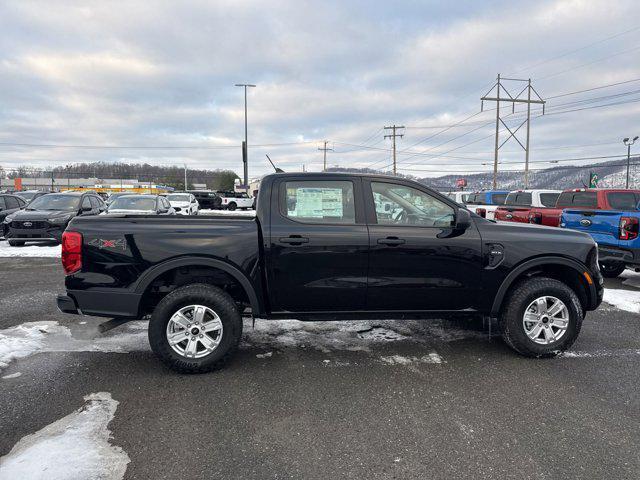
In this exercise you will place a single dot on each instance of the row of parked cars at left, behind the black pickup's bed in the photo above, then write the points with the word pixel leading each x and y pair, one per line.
pixel 42 217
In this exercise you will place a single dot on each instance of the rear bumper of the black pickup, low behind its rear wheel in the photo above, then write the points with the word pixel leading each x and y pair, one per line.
pixel 100 303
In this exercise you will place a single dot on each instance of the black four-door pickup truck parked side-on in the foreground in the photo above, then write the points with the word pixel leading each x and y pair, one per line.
pixel 327 246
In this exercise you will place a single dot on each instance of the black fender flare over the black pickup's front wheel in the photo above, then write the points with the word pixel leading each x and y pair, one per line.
pixel 575 279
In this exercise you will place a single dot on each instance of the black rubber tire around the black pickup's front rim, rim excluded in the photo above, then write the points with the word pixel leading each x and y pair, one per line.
pixel 517 301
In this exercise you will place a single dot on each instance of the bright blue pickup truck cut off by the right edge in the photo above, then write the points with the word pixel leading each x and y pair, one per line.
pixel 615 232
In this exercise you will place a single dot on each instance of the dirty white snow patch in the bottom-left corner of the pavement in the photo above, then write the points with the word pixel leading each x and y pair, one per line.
pixel 74 447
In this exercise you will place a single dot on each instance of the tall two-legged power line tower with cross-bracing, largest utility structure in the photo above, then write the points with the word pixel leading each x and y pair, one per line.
pixel 524 96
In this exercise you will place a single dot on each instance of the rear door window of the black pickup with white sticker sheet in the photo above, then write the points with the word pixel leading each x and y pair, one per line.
pixel 319 201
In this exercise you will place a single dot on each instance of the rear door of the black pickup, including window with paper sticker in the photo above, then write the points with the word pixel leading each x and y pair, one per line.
pixel 318 245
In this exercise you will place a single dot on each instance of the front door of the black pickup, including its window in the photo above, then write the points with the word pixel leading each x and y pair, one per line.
pixel 416 260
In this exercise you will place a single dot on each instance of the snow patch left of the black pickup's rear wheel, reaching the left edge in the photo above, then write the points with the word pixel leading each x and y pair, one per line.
pixel 36 337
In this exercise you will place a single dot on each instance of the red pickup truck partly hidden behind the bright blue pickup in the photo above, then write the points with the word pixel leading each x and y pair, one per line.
pixel 587 199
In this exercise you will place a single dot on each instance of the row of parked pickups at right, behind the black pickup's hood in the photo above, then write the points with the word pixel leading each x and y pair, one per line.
pixel 610 216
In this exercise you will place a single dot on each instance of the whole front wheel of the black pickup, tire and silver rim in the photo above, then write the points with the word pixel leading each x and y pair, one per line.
pixel 542 317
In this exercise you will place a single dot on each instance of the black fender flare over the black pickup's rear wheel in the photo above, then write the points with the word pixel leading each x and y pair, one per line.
pixel 154 272
